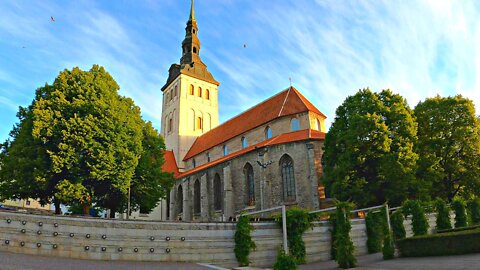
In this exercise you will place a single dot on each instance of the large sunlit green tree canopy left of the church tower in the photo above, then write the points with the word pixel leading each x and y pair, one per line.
pixel 80 141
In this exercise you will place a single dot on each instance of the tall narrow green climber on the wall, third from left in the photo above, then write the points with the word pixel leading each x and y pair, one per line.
pixel 343 242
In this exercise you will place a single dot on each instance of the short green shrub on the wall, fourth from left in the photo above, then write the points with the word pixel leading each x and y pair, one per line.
pixel 375 223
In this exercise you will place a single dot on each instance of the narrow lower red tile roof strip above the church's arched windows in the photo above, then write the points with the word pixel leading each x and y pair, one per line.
pixel 300 135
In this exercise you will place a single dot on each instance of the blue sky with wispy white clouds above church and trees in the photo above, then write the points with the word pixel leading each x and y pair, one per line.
pixel 330 49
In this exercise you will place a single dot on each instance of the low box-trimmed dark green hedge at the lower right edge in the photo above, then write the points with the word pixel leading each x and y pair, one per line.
pixel 453 243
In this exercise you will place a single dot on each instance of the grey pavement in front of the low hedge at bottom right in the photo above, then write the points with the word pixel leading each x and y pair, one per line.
pixel 375 262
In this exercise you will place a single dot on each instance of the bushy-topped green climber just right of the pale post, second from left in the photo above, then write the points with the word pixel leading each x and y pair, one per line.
pixel 298 221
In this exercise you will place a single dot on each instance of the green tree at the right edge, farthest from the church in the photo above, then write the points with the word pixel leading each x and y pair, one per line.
pixel 449 146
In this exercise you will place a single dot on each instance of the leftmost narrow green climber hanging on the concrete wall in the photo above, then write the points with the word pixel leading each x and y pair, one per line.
pixel 243 241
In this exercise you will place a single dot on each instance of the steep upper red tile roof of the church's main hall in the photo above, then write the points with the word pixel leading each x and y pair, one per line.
pixel 285 103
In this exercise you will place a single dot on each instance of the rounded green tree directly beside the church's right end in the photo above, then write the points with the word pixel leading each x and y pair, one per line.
pixel 369 155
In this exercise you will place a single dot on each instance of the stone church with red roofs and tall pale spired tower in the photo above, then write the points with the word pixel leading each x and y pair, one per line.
pixel 264 157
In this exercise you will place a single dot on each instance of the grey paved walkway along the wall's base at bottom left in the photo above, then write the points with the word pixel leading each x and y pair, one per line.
pixel 13 261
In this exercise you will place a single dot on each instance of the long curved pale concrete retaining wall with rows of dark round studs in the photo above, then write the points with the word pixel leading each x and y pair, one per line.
pixel 156 241
